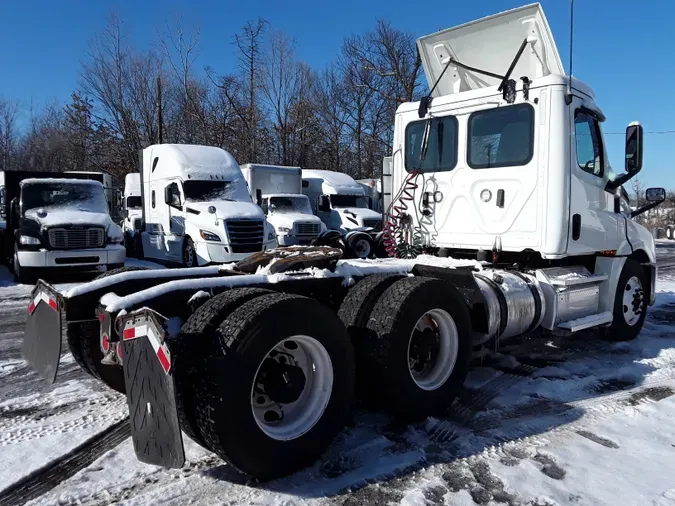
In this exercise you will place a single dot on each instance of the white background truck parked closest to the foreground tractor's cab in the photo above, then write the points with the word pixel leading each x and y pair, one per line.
pixel 339 201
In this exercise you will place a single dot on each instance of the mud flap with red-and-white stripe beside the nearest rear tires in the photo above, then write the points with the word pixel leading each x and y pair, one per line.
pixel 155 429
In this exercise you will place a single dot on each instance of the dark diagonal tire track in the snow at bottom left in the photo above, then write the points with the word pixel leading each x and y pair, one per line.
pixel 45 479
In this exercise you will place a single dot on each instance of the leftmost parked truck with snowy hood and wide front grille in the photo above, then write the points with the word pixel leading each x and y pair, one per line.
pixel 59 223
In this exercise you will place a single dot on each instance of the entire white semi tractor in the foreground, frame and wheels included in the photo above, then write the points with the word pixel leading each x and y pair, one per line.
pixel 506 220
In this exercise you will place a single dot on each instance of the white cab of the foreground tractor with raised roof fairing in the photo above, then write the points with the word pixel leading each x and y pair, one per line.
pixel 510 165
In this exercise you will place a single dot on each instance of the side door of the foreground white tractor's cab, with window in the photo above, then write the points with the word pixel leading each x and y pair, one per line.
pixel 594 224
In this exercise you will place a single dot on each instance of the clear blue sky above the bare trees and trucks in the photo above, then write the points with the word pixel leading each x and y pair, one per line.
pixel 623 49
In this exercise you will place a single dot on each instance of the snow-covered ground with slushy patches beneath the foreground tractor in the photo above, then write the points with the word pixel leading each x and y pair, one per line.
pixel 543 422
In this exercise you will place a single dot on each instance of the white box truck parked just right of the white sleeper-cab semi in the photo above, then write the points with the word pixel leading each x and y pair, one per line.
pixel 278 191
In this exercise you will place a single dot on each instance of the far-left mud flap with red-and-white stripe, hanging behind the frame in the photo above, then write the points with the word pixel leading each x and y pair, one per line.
pixel 42 336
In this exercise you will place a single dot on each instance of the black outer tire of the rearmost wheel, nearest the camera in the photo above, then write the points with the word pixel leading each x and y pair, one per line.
pixel 225 402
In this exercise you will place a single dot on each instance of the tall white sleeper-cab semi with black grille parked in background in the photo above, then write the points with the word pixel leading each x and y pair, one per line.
pixel 196 207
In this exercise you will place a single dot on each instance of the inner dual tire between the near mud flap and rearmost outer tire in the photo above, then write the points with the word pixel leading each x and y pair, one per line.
pixel 190 351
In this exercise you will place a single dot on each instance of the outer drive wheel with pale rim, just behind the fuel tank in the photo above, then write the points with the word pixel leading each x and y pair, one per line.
pixel 416 357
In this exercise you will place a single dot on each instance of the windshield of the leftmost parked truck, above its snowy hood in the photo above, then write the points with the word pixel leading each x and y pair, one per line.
pixel 71 196
